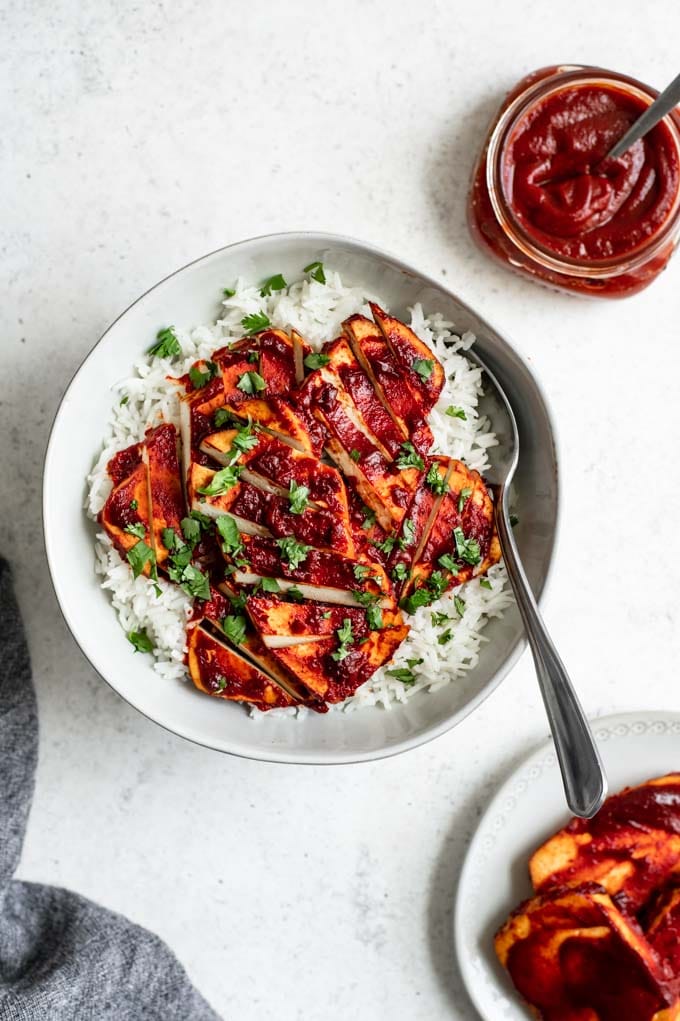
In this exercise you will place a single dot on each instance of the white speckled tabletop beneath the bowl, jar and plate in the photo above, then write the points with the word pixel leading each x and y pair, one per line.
pixel 137 137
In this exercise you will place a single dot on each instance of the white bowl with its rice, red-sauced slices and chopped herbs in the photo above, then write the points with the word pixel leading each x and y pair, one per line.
pixel 288 549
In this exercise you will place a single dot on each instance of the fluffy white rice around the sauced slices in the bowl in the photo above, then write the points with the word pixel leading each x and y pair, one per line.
pixel 317 312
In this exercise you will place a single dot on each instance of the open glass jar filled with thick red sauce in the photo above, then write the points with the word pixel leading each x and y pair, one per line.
pixel 548 204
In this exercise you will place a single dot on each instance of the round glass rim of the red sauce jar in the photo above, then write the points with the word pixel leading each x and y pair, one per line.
pixel 540 90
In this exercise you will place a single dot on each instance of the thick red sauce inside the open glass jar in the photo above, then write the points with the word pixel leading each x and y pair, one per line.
pixel 568 197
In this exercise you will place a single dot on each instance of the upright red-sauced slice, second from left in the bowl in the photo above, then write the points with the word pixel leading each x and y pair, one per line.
pixel 166 498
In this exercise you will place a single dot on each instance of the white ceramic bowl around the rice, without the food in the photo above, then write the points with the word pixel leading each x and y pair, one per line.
pixel 189 298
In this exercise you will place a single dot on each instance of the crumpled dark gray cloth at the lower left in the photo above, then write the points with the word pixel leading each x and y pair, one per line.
pixel 62 957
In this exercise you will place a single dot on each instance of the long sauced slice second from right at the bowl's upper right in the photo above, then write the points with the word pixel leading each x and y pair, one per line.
pixel 405 405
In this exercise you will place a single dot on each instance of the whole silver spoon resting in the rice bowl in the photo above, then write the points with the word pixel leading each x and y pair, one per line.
pixel 580 764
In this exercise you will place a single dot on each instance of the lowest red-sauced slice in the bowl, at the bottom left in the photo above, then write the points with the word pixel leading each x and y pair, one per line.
pixel 221 671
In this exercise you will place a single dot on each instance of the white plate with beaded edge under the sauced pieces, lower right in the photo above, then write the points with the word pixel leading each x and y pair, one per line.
pixel 529 807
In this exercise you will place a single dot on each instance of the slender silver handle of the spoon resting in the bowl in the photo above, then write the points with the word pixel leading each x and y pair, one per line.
pixel 581 767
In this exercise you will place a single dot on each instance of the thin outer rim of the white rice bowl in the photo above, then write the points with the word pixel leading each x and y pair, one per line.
pixel 298 757
